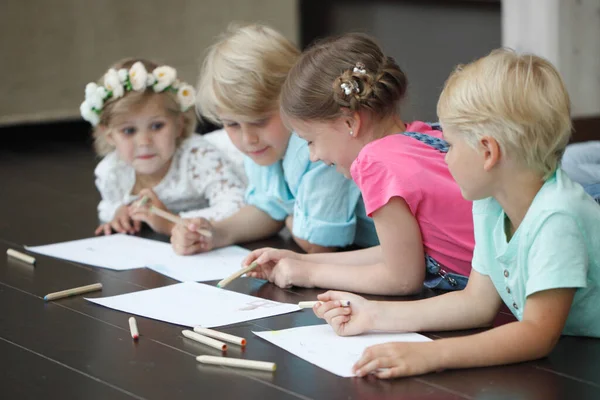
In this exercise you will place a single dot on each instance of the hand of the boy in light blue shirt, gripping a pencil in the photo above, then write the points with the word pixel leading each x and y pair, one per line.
pixel 185 239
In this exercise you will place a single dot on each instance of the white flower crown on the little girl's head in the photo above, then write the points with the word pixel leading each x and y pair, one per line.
pixel 116 83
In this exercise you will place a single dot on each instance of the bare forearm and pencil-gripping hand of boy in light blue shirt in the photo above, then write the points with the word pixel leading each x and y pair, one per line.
pixel 248 224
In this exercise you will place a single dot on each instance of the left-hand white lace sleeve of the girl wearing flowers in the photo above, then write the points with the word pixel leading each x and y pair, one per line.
pixel 110 182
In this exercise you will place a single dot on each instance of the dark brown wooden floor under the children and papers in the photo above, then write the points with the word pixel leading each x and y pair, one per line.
pixel 72 349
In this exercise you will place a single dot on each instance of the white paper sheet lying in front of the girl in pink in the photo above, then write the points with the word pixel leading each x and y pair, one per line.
pixel 195 304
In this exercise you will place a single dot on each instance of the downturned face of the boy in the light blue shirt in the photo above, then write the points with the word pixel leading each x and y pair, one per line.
pixel 264 141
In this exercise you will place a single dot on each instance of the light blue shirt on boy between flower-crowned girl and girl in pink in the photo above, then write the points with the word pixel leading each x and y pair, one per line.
pixel 327 208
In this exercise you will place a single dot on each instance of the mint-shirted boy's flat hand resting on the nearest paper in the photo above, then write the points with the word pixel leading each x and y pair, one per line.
pixel 392 360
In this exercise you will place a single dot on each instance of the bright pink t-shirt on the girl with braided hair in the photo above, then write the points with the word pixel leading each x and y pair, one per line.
pixel 398 165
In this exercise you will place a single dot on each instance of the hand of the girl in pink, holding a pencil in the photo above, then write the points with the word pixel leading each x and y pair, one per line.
pixel 285 272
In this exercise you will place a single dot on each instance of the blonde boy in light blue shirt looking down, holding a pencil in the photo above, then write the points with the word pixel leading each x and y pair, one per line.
pixel 239 88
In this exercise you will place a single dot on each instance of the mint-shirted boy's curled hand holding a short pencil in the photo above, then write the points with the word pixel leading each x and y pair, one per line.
pixel 345 321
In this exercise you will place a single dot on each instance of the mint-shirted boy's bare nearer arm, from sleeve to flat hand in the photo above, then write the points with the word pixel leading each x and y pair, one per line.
pixel 534 337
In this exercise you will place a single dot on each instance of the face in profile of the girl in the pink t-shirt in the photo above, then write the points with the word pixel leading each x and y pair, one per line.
pixel 329 141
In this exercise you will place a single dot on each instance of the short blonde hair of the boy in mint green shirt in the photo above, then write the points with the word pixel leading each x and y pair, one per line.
pixel 519 100
